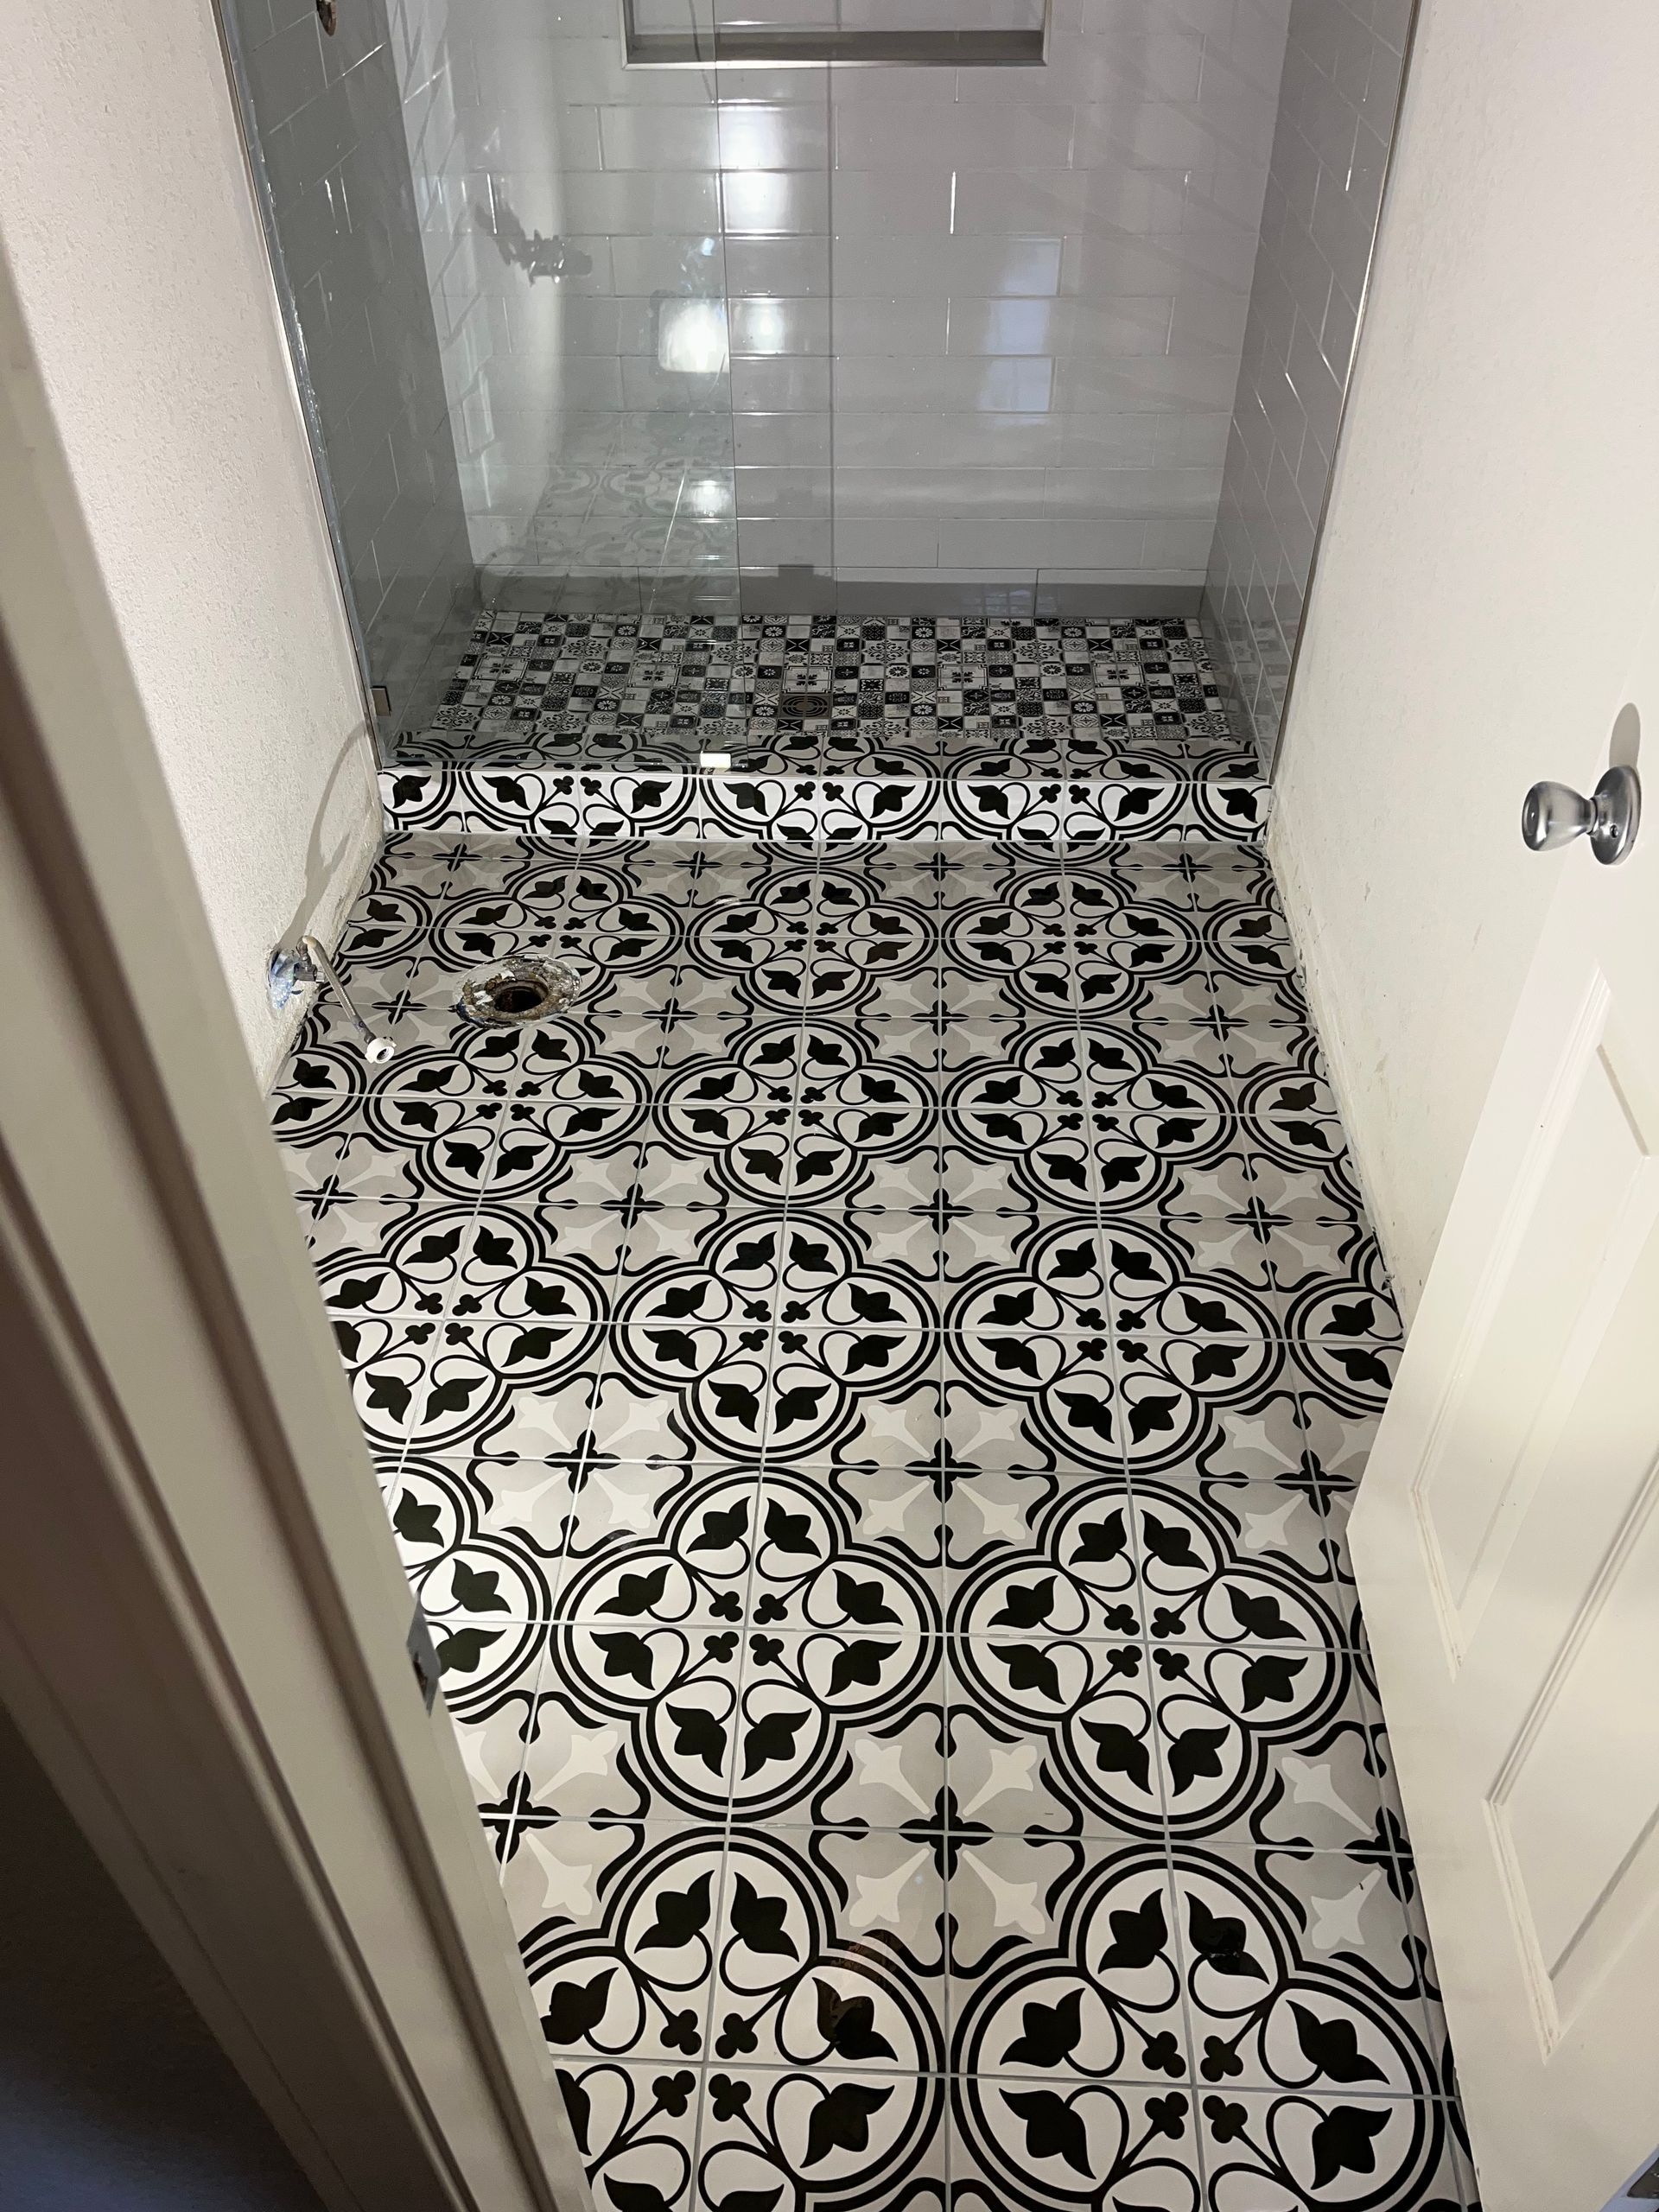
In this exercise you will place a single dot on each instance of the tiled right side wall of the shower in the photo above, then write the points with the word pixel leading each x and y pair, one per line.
pixel 1342 87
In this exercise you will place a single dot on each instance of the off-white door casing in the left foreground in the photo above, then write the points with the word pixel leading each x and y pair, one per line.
pixel 202 1629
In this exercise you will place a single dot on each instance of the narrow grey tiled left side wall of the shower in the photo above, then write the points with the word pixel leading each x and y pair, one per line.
pixel 348 225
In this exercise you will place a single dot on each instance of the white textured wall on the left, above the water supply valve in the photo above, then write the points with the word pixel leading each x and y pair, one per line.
pixel 132 231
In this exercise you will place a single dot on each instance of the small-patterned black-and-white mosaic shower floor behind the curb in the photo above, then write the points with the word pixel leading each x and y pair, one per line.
pixel 985 698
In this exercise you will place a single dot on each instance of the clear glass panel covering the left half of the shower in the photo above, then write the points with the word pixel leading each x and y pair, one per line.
pixel 563 324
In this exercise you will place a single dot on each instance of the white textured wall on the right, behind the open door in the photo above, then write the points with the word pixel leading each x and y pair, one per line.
pixel 1494 539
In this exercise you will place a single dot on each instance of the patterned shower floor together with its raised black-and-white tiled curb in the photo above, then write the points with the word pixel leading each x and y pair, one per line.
pixel 820 729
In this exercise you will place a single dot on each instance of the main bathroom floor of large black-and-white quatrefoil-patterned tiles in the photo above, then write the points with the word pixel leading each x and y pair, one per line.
pixel 870 1404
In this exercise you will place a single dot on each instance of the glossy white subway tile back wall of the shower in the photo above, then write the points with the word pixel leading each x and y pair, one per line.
pixel 985 324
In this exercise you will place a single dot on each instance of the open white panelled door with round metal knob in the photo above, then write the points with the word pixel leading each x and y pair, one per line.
pixel 1507 1547
